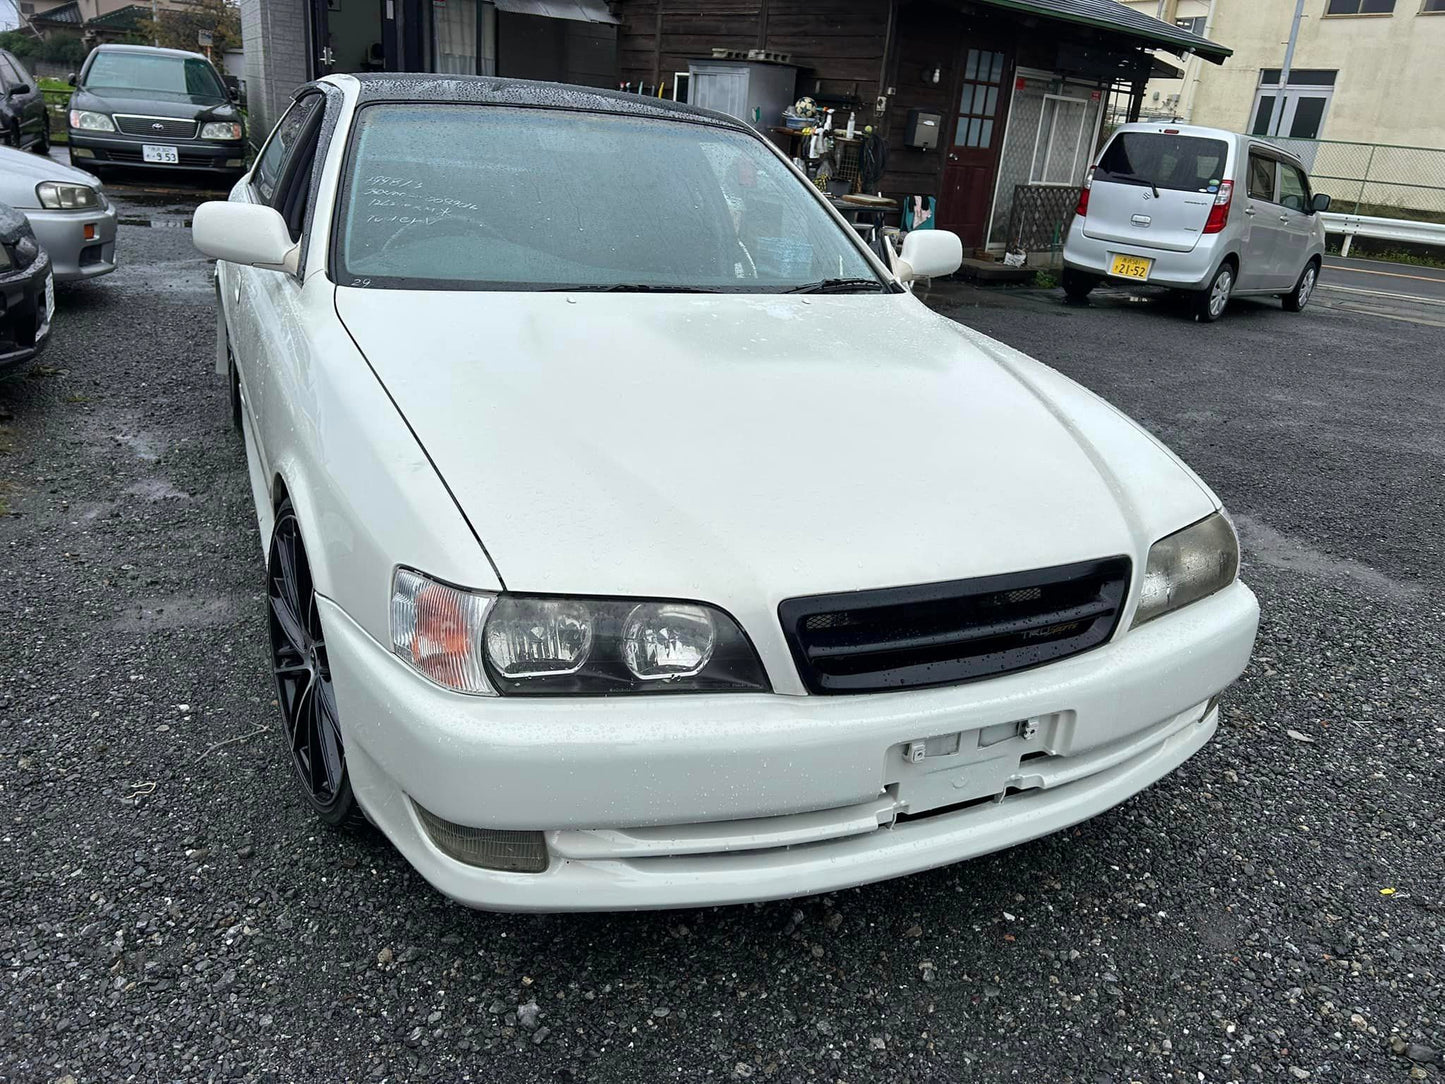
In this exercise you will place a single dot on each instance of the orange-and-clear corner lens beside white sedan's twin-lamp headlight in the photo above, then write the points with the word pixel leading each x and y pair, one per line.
pixel 437 629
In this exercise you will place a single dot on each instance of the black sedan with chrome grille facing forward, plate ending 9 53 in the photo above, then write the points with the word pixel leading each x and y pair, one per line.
pixel 154 109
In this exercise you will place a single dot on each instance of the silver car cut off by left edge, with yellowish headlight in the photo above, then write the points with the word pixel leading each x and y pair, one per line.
pixel 69 212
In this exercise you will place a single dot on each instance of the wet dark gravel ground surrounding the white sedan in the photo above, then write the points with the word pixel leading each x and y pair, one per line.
pixel 1274 911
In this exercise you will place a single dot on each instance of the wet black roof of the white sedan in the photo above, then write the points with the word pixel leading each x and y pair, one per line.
pixel 489 90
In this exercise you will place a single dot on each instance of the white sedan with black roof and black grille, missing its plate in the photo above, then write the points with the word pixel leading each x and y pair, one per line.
pixel 637 540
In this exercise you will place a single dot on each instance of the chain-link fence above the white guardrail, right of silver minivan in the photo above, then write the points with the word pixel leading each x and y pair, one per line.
pixel 1375 178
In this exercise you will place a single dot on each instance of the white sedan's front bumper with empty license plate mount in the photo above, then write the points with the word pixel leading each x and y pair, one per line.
pixel 704 800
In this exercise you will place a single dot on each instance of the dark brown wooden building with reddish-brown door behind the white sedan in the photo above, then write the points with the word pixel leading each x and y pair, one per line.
pixel 1022 87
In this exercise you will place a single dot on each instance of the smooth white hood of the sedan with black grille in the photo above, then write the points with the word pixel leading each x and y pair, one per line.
pixel 748 449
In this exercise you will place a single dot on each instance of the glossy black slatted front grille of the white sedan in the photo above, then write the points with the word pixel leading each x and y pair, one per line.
pixel 954 632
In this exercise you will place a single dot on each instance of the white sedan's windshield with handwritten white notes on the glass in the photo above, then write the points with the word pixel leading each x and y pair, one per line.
pixel 480 197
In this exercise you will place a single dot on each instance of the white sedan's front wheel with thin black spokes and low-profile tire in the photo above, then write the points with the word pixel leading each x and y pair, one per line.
pixel 306 696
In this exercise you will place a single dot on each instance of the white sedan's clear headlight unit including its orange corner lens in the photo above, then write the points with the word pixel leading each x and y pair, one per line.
pixel 543 645
